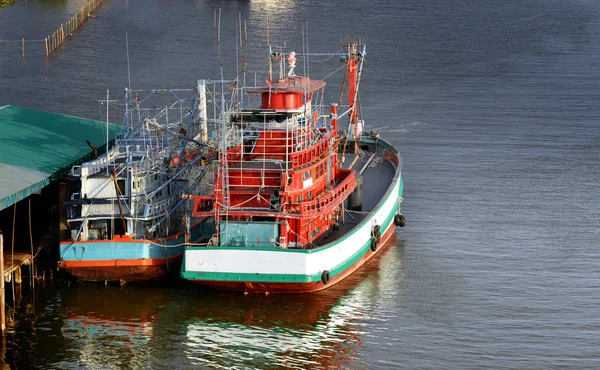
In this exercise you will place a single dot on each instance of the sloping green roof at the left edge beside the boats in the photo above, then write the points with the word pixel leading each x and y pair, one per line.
pixel 38 147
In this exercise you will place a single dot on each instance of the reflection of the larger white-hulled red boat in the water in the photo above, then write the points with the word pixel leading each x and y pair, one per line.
pixel 319 330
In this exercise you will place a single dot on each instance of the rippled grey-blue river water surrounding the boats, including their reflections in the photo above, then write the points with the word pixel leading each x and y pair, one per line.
pixel 494 107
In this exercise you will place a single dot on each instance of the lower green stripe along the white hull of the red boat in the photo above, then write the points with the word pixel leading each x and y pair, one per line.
pixel 284 278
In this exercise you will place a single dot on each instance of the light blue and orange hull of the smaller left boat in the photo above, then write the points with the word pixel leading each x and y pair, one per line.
pixel 124 259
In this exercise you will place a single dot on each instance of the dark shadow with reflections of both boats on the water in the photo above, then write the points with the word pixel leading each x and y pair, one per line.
pixel 140 325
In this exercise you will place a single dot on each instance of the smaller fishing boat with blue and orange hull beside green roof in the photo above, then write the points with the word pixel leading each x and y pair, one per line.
pixel 126 217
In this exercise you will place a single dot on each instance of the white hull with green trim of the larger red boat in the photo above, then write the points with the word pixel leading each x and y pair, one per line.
pixel 262 270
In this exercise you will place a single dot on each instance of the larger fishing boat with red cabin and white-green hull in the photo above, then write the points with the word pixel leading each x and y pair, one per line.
pixel 302 202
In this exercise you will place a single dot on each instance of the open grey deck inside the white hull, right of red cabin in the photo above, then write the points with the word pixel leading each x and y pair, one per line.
pixel 377 177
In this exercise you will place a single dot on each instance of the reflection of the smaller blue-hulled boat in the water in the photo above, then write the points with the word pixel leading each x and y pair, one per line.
pixel 109 326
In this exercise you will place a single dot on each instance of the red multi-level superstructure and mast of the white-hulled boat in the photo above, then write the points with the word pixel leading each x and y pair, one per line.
pixel 287 169
